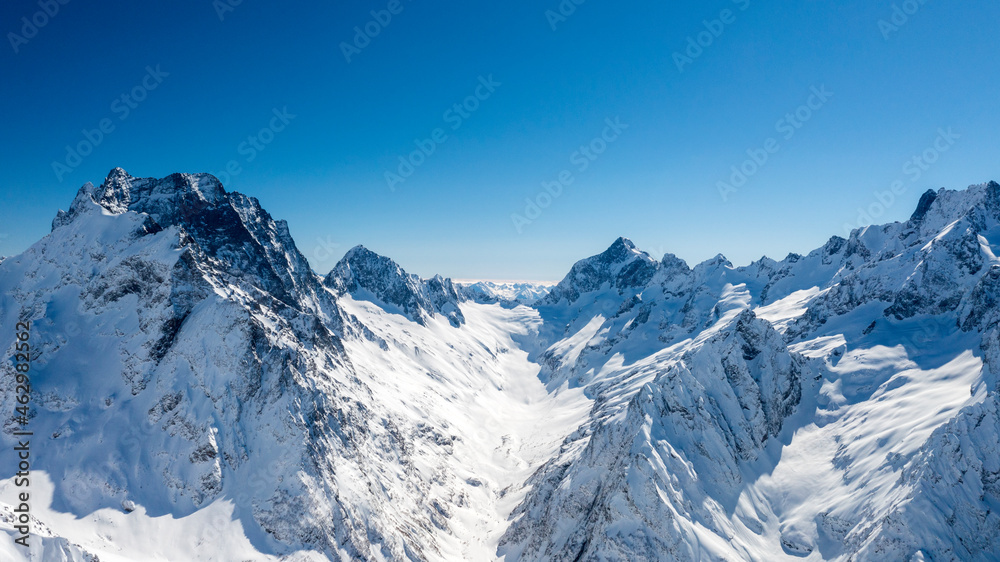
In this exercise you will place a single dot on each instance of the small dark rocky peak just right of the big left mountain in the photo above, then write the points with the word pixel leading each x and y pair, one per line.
pixel 368 275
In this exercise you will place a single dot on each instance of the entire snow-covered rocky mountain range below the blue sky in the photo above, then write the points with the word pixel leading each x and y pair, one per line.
pixel 201 394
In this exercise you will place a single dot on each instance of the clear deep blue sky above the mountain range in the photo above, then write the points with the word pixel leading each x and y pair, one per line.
pixel 205 82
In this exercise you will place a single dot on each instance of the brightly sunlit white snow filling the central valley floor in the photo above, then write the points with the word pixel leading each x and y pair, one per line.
pixel 476 382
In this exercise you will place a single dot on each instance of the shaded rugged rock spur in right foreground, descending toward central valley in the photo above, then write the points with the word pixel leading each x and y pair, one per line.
pixel 672 462
